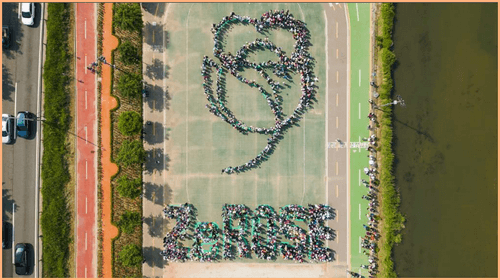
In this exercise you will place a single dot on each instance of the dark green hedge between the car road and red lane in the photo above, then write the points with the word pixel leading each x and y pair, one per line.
pixel 54 171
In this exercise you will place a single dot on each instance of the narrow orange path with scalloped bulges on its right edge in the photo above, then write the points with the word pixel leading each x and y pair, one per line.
pixel 108 102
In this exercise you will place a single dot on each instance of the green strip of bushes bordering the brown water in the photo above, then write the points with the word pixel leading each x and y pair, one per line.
pixel 392 220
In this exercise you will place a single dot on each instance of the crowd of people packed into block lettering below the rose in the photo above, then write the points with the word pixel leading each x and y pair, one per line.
pixel 265 236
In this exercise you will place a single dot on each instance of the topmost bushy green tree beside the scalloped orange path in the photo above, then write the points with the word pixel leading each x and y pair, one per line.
pixel 128 16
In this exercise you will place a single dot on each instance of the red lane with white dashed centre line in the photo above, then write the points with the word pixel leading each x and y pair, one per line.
pixel 86 144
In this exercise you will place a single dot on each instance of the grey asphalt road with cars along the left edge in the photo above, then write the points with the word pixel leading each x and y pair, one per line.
pixel 20 73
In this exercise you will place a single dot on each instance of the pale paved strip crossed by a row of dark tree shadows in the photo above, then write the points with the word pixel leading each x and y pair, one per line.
pixel 155 197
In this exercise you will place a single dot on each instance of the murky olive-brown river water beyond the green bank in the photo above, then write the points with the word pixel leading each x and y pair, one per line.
pixel 446 139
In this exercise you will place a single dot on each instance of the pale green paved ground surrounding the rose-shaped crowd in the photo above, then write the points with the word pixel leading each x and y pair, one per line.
pixel 200 144
